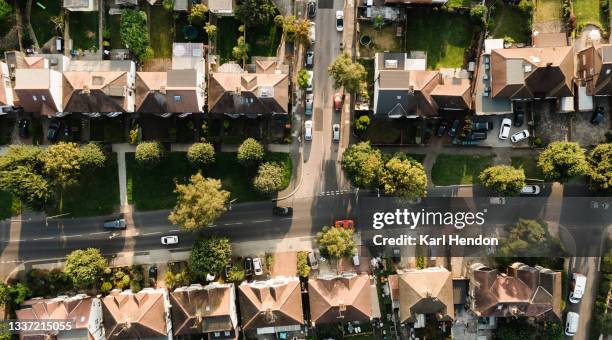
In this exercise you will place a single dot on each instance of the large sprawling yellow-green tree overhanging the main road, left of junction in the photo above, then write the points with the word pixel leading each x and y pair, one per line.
pixel 199 203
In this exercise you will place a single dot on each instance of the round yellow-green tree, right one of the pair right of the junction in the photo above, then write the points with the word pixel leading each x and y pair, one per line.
pixel 404 177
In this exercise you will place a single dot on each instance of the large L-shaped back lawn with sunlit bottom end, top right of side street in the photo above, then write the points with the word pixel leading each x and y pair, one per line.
pixel 444 36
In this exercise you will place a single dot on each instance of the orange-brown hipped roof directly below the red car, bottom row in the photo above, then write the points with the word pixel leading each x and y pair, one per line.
pixel 340 299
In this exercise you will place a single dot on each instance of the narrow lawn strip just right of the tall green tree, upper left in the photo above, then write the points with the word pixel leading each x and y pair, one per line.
pixel 161 31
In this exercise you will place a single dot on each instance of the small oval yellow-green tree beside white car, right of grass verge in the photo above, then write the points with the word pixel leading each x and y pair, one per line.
pixel 503 179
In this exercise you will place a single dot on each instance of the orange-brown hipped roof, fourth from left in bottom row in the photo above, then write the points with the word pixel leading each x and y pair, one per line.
pixel 273 303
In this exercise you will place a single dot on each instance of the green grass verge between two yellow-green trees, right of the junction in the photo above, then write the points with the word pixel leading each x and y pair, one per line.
pixel 459 169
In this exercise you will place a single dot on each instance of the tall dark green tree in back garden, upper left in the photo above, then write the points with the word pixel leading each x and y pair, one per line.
pixel 134 31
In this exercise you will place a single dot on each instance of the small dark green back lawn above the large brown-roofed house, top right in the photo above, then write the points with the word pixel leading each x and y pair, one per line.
pixel 510 22
